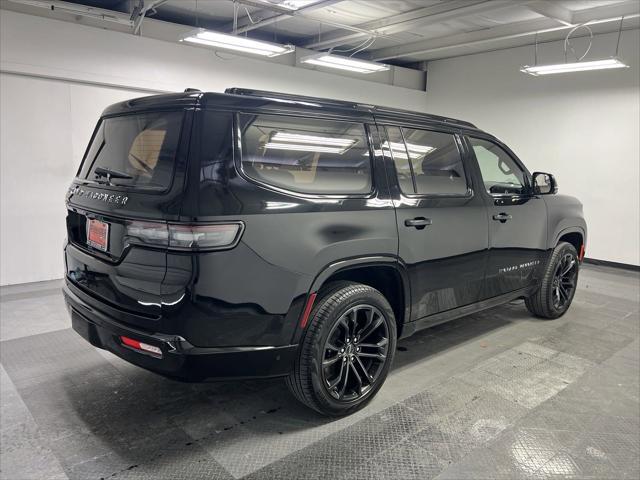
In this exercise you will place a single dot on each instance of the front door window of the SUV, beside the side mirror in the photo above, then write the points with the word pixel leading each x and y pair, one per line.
pixel 500 173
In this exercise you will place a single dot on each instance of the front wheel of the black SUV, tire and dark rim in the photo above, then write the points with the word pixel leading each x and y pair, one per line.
pixel 545 302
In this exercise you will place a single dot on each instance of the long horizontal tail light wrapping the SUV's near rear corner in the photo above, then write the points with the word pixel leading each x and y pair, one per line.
pixel 185 237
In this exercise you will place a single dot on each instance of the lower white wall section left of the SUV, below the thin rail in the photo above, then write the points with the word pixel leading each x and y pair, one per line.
pixel 44 127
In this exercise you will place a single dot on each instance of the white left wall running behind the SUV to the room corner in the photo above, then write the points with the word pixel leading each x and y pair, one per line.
pixel 57 78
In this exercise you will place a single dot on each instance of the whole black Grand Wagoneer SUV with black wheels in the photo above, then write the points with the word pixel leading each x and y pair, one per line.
pixel 259 234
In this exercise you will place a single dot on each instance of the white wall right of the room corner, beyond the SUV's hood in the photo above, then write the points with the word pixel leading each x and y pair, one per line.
pixel 583 127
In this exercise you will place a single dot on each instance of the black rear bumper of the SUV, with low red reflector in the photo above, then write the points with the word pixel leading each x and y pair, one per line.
pixel 179 358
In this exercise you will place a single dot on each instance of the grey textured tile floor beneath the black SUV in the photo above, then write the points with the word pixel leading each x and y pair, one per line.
pixel 495 395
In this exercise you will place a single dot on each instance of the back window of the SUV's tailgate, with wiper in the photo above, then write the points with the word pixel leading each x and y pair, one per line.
pixel 134 150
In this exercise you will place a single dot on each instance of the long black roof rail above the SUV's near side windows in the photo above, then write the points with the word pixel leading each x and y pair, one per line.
pixel 343 104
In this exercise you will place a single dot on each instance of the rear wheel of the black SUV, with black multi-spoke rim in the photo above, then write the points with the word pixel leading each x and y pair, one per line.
pixel 343 305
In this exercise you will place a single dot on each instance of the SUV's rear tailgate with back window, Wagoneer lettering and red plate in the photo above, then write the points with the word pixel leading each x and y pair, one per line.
pixel 133 172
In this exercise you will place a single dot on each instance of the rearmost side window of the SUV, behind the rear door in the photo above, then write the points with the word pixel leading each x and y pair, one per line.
pixel 306 155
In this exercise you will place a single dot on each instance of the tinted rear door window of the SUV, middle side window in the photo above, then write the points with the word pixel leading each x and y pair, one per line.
pixel 432 158
